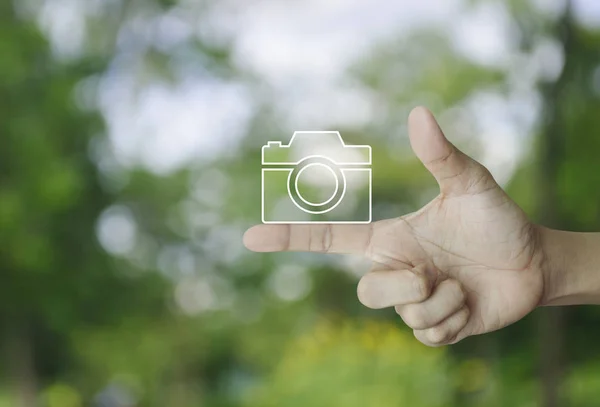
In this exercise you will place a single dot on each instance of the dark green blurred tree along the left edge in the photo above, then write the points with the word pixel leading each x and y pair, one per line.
pixel 55 276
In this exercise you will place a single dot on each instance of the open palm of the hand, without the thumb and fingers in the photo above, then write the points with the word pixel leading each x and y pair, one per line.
pixel 482 240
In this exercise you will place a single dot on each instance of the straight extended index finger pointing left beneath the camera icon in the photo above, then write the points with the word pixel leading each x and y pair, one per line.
pixel 323 238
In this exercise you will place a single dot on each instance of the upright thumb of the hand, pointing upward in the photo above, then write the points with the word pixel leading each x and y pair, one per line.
pixel 455 172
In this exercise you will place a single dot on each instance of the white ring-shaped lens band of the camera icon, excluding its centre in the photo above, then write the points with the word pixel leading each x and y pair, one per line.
pixel 304 204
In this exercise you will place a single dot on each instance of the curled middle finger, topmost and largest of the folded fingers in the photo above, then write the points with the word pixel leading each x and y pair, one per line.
pixel 381 289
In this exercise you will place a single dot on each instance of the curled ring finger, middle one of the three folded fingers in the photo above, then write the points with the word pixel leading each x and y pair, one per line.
pixel 447 298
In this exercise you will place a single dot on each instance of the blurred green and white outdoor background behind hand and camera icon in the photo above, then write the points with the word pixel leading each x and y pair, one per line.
pixel 130 136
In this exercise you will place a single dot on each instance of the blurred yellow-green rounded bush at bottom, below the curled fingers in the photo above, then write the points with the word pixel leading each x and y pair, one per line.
pixel 356 364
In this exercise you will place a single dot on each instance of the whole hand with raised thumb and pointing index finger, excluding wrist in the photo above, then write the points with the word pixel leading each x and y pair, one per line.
pixel 467 263
